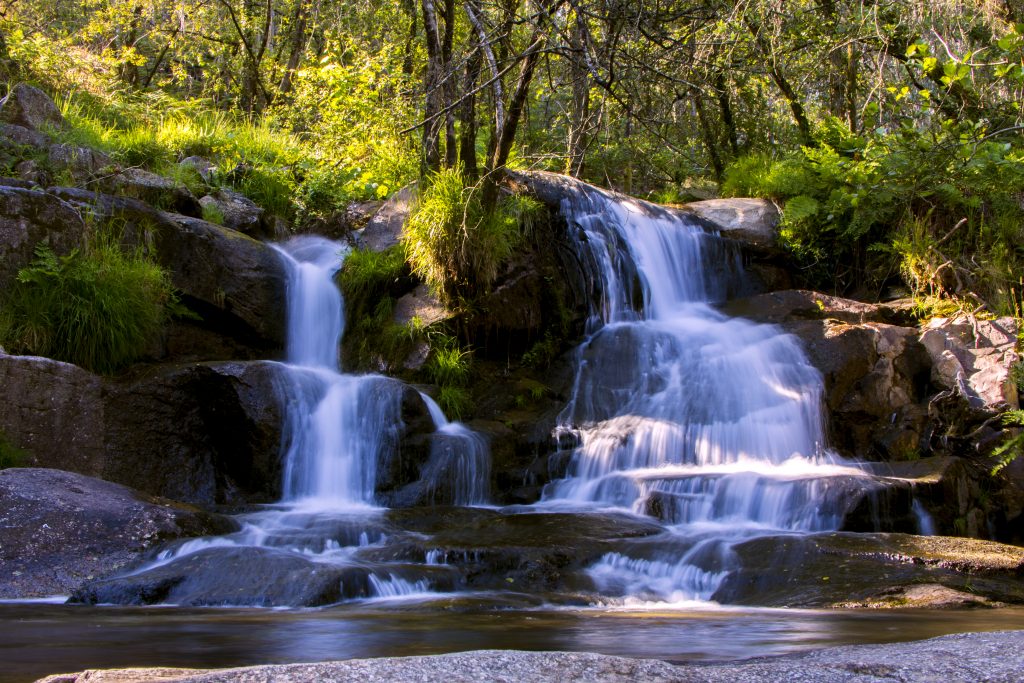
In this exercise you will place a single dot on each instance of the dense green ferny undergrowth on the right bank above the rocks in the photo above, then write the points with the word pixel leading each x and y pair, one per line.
pixel 938 211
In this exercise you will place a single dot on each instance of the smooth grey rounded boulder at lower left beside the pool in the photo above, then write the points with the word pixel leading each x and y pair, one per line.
pixel 60 529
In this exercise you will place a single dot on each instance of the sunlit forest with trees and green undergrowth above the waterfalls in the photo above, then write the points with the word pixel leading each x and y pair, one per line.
pixel 889 133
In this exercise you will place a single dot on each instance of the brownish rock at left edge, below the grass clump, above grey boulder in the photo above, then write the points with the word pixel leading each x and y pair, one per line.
pixel 55 411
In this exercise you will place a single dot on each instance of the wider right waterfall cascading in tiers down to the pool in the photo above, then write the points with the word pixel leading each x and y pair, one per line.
pixel 712 424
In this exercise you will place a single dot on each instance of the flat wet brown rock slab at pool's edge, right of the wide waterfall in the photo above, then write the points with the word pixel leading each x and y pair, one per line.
pixel 834 570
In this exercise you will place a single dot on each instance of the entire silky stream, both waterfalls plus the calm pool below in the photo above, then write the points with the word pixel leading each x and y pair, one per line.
pixel 688 435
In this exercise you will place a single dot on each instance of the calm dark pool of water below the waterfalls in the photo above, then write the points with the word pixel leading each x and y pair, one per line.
pixel 39 639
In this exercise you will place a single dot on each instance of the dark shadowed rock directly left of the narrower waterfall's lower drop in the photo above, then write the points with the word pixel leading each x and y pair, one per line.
pixel 199 433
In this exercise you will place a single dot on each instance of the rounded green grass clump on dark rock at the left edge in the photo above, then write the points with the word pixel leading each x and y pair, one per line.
pixel 100 309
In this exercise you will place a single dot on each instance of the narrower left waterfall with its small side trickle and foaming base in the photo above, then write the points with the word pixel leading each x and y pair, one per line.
pixel 337 430
